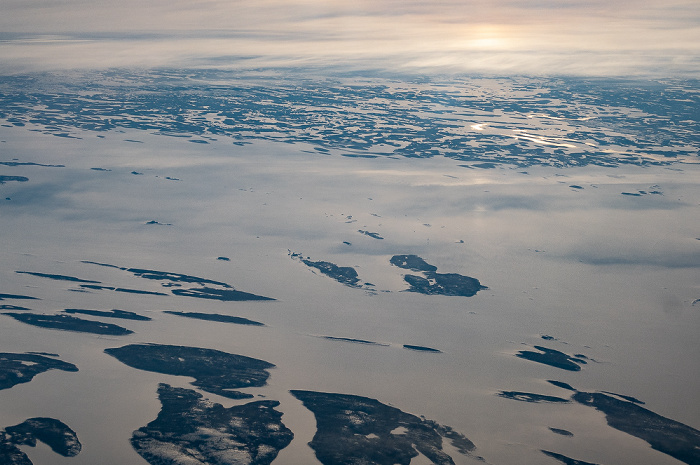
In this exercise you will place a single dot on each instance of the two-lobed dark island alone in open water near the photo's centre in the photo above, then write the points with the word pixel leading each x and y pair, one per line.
pixel 434 283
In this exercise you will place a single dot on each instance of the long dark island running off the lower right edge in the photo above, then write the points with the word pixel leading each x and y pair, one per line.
pixel 663 434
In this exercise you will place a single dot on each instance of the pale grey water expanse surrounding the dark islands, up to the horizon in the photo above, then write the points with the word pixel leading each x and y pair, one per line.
pixel 580 217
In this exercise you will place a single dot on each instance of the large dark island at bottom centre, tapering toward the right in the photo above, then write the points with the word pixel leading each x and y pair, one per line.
pixel 359 430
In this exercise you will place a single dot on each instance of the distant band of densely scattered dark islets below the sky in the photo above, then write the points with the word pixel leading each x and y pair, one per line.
pixel 425 123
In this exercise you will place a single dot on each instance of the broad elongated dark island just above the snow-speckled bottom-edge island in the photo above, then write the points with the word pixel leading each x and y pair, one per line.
pixel 214 371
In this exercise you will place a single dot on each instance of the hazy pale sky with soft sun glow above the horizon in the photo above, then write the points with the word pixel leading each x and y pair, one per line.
pixel 541 37
